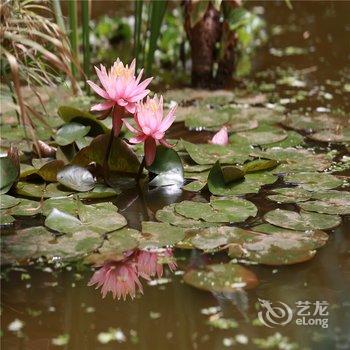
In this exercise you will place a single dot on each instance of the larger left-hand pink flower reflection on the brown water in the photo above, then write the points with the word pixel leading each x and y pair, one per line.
pixel 119 277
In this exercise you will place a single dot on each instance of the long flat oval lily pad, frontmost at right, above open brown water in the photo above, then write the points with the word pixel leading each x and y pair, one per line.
pixel 301 221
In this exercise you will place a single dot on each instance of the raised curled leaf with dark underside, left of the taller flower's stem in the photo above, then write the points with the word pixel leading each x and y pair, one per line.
pixel 70 114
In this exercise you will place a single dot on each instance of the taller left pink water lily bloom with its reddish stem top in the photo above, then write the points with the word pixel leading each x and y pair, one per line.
pixel 121 90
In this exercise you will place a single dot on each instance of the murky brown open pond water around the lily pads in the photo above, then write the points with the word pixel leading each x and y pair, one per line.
pixel 54 301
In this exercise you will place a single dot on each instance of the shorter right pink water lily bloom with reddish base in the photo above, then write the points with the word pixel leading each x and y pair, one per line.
pixel 151 126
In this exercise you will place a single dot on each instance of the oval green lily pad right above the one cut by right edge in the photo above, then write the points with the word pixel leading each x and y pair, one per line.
pixel 312 181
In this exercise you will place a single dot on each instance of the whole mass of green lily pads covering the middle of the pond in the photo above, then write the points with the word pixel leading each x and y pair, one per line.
pixel 66 187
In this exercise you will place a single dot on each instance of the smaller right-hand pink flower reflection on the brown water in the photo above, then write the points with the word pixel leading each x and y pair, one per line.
pixel 150 264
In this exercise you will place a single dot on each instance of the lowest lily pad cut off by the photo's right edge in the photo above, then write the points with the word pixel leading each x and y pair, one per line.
pixel 329 202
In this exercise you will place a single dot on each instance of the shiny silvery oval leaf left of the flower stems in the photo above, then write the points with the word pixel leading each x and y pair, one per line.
pixel 76 178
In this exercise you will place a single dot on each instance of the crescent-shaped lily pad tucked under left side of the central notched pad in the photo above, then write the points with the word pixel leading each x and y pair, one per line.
pixel 170 216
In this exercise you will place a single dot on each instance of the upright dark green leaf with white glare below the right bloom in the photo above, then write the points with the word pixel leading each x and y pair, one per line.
pixel 168 166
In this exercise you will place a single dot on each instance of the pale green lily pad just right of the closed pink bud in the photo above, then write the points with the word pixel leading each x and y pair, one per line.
pixel 264 134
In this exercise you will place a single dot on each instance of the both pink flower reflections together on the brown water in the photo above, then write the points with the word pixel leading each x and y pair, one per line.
pixel 122 277
